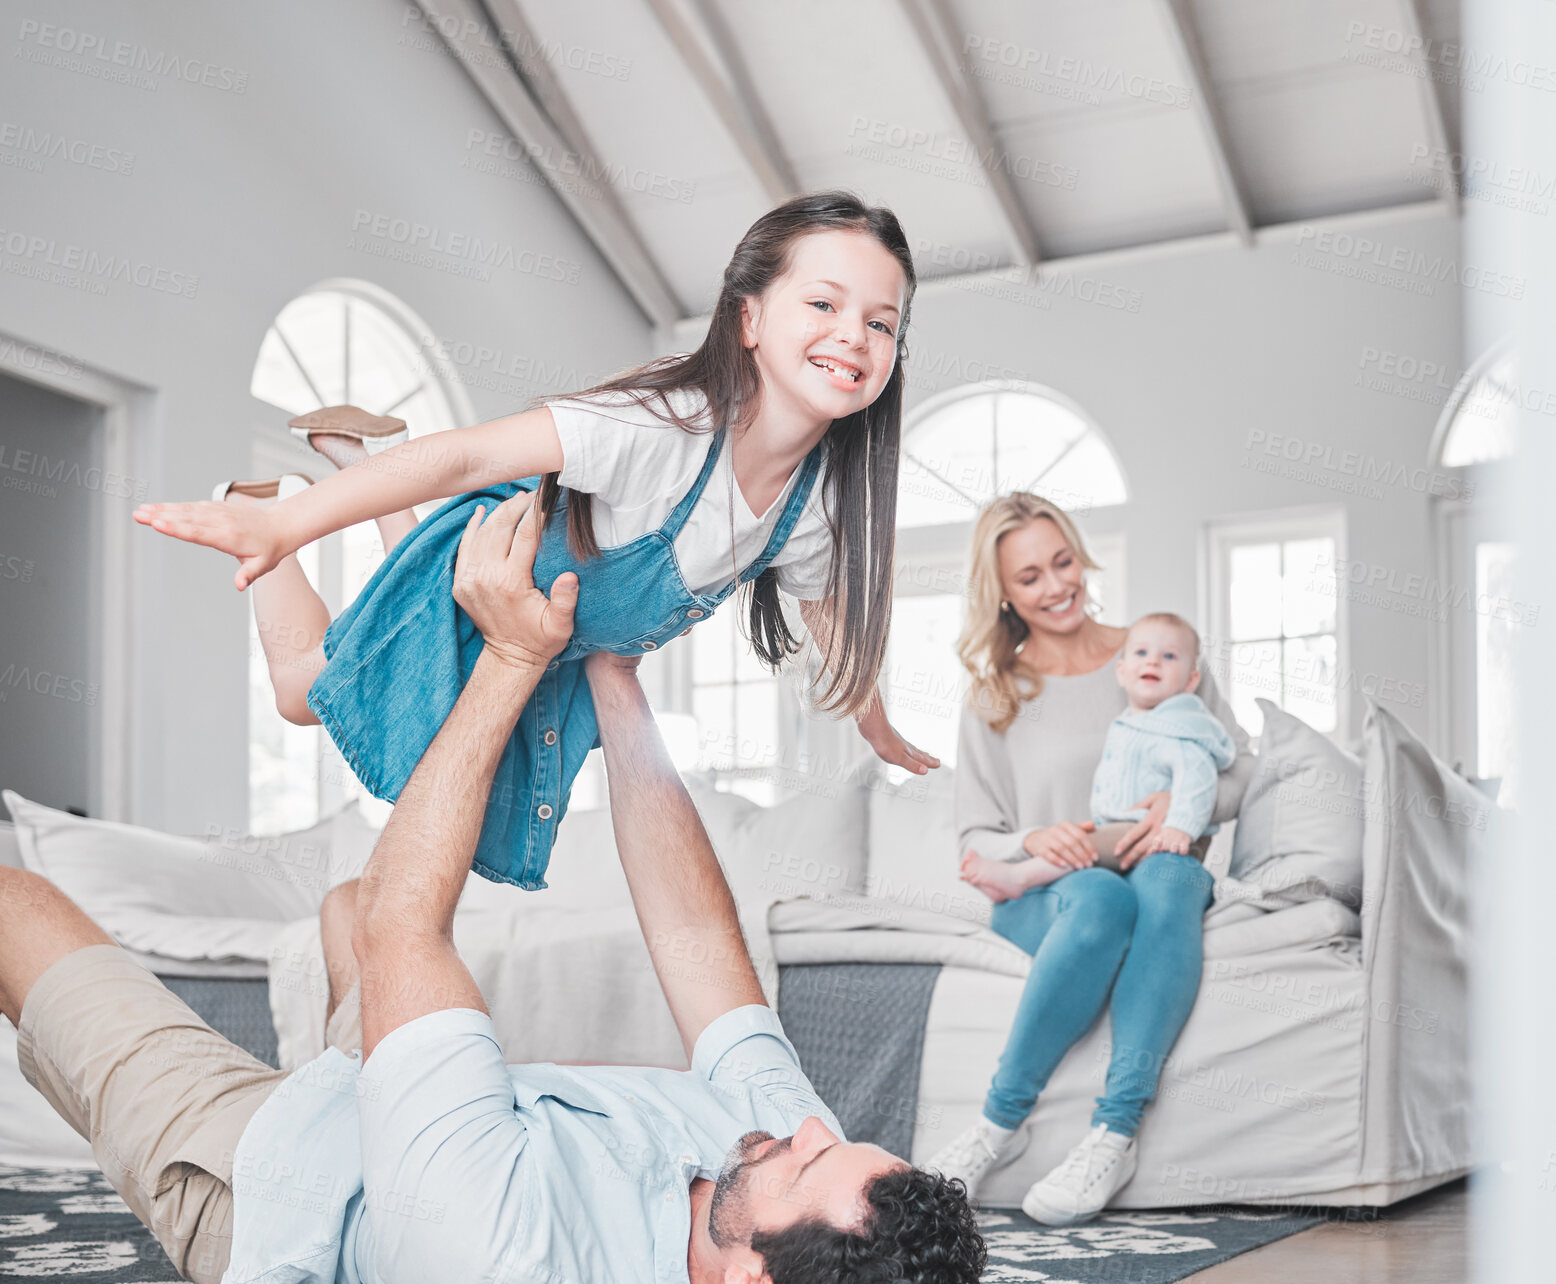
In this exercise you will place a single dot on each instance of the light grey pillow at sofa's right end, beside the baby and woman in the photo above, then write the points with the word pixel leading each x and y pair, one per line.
pixel 1302 821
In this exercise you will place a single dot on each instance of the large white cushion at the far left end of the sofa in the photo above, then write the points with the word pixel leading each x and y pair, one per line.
pixel 214 900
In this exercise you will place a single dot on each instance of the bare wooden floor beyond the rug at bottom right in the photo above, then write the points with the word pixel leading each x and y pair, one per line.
pixel 1421 1241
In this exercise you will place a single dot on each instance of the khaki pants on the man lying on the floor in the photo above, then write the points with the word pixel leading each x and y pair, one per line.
pixel 158 1093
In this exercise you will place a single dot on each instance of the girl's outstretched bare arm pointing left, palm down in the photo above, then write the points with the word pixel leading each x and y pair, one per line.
pixel 432 468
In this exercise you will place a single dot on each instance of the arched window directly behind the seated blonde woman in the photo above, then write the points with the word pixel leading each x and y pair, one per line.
pixel 962 449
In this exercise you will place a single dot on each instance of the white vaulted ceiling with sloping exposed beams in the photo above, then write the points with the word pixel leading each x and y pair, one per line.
pixel 1000 132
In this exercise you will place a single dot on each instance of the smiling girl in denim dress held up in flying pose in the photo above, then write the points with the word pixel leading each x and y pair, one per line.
pixel 766 458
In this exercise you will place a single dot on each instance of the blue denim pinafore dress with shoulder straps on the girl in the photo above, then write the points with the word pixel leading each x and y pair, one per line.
pixel 402 653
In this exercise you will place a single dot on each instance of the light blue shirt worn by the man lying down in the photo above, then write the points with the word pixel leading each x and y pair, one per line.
pixel 438 1162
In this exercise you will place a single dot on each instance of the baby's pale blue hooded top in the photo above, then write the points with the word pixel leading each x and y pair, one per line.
pixel 1180 746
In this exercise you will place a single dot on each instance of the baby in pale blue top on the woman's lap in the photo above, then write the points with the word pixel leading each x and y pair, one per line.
pixel 1166 740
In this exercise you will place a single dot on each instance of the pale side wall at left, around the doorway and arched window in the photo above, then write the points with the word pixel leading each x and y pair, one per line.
pixel 345 108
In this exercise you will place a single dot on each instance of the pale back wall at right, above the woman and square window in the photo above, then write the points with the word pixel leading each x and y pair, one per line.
pixel 1185 356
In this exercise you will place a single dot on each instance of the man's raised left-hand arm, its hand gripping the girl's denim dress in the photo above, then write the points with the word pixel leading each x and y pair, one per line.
pixel 405 908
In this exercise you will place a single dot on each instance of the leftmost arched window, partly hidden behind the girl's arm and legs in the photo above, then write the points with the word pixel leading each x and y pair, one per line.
pixel 342 343
